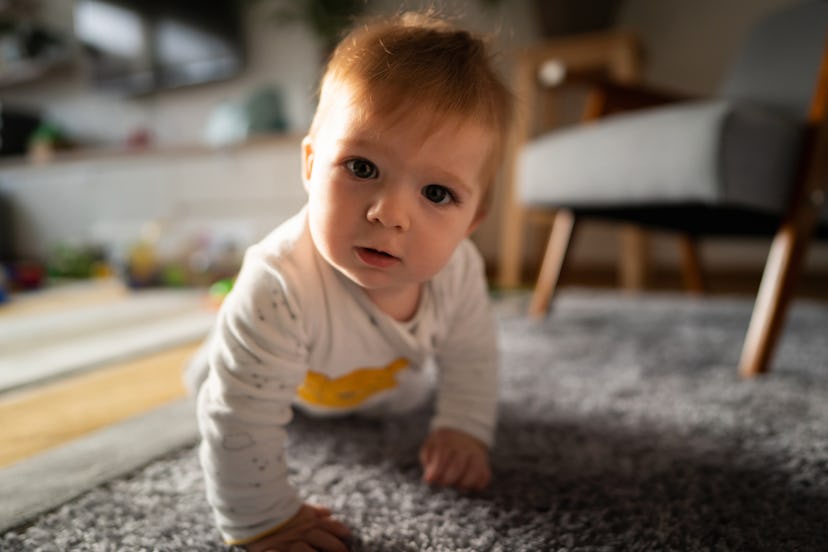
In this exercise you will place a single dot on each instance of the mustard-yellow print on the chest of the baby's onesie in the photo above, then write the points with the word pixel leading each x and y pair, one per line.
pixel 351 389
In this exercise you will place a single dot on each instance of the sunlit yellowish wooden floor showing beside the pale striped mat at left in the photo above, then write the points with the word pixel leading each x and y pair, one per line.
pixel 36 419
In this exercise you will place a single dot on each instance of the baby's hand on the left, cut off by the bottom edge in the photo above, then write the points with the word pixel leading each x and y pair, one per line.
pixel 312 528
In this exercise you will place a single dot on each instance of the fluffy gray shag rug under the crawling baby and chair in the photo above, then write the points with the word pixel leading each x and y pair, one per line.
pixel 624 426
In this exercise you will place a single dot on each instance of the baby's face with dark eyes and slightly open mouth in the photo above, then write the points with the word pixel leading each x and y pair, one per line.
pixel 389 203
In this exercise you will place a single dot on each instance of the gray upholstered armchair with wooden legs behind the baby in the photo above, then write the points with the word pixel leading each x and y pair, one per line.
pixel 751 161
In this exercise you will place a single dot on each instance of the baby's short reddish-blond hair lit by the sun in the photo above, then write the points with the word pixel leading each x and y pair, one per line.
pixel 417 60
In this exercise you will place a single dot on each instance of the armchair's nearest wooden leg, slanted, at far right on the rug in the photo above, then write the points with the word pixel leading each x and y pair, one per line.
pixel 775 291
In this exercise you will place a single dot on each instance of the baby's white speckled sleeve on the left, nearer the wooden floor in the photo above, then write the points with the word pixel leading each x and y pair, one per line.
pixel 257 358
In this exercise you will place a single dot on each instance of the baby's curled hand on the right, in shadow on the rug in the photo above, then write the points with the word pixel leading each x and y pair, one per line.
pixel 455 459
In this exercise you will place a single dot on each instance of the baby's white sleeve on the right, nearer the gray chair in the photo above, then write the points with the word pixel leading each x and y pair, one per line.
pixel 467 356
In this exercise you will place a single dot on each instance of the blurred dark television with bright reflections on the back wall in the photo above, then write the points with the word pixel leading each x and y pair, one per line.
pixel 140 46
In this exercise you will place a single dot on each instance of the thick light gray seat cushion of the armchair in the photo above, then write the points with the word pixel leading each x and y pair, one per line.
pixel 713 152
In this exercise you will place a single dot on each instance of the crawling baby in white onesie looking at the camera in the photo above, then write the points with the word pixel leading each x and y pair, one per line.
pixel 346 307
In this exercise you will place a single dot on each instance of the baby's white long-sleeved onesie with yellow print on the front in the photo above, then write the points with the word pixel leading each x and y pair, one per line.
pixel 296 332
